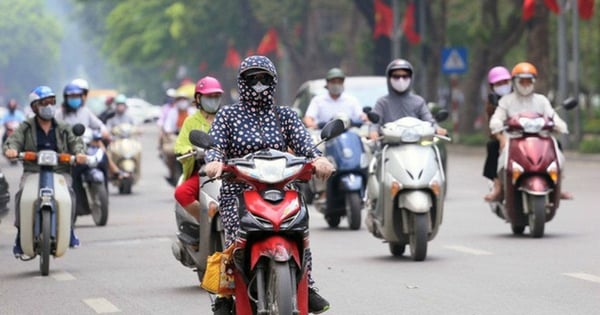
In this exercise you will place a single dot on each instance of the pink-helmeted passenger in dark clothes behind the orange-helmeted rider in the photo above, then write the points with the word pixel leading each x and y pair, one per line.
pixel 499 82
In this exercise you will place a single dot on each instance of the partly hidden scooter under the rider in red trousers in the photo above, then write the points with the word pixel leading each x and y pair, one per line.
pixel 198 240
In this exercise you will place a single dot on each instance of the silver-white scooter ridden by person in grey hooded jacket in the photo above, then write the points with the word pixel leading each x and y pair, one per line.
pixel 405 190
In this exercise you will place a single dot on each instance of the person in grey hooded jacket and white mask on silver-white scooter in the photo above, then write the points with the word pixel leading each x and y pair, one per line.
pixel 400 101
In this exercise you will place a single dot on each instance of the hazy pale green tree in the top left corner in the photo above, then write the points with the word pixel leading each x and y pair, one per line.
pixel 29 42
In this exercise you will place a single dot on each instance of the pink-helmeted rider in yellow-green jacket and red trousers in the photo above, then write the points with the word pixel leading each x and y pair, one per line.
pixel 207 98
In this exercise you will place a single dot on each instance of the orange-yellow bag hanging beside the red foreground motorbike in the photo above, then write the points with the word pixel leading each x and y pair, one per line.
pixel 218 278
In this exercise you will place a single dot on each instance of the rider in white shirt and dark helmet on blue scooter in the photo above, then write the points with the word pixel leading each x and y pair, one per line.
pixel 323 108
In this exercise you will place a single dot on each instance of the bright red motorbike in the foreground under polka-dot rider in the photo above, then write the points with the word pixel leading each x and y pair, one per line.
pixel 270 268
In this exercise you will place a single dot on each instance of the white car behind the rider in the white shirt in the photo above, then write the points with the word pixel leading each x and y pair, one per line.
pixel 367 89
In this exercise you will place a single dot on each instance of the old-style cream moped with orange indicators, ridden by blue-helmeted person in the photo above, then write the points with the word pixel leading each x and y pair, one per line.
pixel 45 207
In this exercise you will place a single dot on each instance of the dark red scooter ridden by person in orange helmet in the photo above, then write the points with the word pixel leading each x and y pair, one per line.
pixel 531 178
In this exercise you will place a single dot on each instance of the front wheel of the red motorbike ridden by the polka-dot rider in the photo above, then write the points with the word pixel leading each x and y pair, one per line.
pixel 280 294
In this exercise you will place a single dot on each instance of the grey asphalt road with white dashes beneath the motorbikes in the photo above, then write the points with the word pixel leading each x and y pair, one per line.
pixel 474 266
